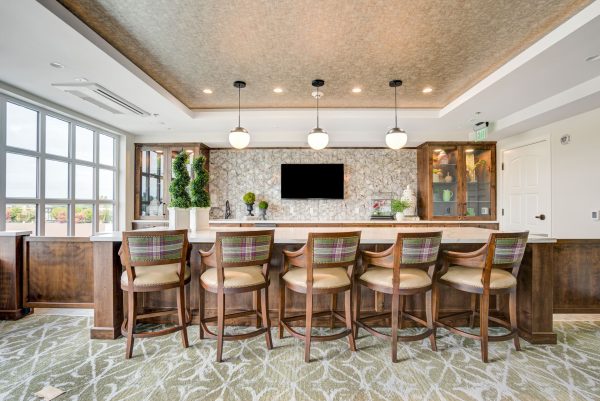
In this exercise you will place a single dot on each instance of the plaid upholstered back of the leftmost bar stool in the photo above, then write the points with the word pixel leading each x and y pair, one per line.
pixel 149 248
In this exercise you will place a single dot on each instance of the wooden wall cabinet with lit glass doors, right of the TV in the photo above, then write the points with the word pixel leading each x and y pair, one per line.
pixel 457 180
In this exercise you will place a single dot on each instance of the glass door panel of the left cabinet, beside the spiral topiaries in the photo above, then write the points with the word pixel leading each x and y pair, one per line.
pixel 152 185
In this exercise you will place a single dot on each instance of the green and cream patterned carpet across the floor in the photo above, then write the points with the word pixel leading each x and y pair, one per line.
pixel 56 350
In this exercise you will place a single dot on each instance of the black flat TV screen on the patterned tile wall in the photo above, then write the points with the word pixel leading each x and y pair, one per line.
pixel 312 181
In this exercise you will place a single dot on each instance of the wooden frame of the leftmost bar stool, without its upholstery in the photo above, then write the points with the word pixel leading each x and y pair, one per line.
pixel 130 321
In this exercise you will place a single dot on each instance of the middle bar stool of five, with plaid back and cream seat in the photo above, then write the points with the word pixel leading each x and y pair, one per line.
pixel 324 265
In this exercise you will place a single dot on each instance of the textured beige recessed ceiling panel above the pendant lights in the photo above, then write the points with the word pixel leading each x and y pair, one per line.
pixel 190 45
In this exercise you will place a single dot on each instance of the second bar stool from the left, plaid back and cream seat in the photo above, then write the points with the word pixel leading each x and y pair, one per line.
pixel 238 262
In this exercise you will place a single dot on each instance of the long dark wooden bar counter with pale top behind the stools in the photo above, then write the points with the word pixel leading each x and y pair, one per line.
pixel 534 283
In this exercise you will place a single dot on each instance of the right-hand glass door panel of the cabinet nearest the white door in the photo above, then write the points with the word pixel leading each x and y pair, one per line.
pixel 478 181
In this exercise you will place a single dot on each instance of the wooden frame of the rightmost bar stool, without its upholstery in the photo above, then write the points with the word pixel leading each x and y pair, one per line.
pixel 481 259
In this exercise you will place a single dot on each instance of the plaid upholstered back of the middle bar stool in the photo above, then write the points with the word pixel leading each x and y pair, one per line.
pixel 333 249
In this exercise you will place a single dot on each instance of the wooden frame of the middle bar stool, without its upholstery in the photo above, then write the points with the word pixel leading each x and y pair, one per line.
pixel 303 258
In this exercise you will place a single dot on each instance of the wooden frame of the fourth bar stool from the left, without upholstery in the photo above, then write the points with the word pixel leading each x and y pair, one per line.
pixel 391 258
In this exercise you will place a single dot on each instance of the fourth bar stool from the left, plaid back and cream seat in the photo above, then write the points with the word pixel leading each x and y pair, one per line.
pixel 399 271
